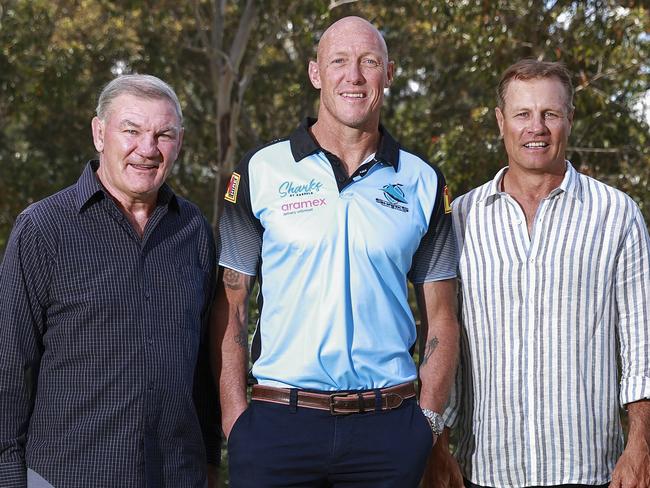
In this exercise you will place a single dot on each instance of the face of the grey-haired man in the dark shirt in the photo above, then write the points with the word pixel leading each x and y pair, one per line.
pixel 138 144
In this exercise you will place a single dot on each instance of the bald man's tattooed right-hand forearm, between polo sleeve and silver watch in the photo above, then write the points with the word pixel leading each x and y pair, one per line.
pixel 438 343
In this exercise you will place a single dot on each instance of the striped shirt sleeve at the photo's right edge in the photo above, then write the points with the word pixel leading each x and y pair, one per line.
pixel 633 302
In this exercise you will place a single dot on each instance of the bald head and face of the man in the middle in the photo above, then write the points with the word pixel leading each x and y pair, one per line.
pixel 352 72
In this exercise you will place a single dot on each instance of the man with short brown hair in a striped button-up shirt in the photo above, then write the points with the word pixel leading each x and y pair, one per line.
pixel 555 290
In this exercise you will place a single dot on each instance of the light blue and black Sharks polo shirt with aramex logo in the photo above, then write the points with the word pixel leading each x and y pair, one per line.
pixel 333 254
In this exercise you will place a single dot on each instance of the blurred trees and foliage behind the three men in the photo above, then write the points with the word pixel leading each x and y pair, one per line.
pixel 240 70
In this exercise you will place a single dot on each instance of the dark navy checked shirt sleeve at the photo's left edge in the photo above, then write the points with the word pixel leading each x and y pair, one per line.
pixel 23 301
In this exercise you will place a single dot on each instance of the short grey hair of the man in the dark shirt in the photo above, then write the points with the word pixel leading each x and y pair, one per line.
pixel 141 86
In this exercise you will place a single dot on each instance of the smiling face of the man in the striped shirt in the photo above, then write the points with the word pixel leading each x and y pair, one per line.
pixel 535 125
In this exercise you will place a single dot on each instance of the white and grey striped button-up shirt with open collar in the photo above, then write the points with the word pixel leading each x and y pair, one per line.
pixel 546 318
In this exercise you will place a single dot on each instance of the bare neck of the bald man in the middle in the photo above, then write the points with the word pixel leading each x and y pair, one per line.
pixel 352 146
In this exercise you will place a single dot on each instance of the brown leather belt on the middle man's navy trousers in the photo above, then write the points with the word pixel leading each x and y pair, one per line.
pixel 338 403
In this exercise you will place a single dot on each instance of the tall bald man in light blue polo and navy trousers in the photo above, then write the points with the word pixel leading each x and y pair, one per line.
pixel 333 220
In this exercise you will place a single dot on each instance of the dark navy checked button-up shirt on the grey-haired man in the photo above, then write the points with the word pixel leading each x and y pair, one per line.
pixel 104 376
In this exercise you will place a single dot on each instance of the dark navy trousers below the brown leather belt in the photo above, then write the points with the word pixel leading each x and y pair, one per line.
pixel 274 445
